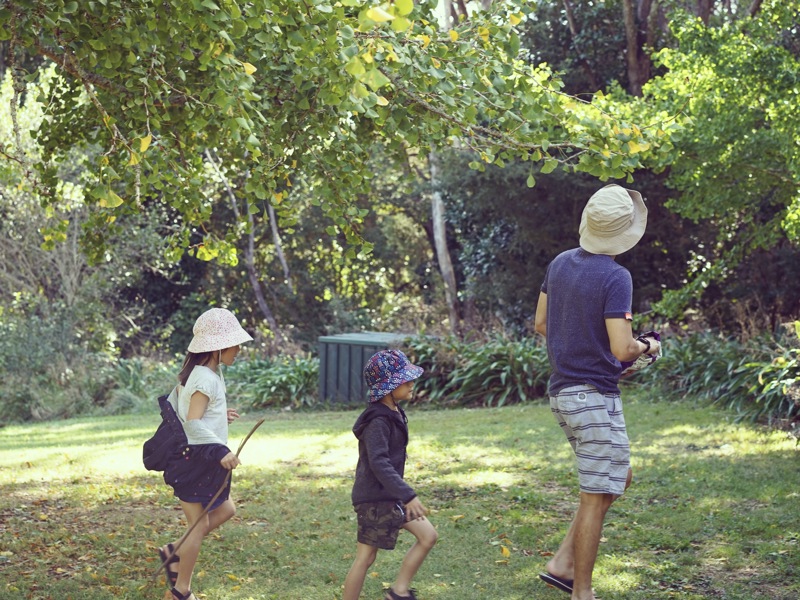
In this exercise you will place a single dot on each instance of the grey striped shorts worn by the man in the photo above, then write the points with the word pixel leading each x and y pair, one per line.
pixel 595 428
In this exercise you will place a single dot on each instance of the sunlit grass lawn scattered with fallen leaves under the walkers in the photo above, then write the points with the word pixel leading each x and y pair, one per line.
pixel 713 512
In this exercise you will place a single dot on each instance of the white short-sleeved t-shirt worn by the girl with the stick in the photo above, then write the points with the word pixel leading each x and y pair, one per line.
pixel 212 428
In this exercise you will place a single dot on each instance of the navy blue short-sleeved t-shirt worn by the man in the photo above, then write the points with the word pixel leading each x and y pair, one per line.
pixel 583 290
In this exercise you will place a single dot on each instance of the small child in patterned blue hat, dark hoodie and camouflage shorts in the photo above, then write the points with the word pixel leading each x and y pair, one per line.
pixel 384 502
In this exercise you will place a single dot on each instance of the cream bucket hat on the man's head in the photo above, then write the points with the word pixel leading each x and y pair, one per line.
pixel 613 221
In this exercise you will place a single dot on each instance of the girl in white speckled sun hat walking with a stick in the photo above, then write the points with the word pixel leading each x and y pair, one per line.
pixel 200 470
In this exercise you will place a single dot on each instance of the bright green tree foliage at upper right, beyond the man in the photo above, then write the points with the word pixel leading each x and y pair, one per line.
pixel 738 167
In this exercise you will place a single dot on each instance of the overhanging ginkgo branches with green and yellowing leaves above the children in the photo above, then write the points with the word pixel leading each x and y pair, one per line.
pixel 275 89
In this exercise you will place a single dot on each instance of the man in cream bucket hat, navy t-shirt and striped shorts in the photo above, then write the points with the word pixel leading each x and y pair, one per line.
pixel 584 311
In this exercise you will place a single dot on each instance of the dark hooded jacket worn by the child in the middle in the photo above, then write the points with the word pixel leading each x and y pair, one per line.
pixel 382 439
